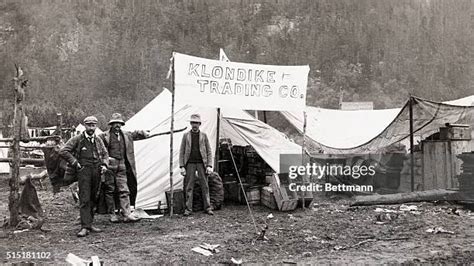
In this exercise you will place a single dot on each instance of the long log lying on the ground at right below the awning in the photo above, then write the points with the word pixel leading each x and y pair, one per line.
pixel 399 198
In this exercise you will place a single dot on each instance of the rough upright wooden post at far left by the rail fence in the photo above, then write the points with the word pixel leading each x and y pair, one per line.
pixel 14 197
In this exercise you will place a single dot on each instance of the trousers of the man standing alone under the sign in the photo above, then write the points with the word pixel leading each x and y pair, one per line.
pixel 190 178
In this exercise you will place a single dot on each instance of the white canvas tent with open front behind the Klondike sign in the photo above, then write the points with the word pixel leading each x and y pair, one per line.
pixel 152 155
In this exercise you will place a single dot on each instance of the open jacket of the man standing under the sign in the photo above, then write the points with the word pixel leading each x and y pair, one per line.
pixel 204 148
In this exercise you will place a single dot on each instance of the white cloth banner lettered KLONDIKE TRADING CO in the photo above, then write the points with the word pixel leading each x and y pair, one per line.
pixel 213 83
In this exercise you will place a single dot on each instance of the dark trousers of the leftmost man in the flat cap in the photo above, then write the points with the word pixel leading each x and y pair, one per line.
pixel 89 180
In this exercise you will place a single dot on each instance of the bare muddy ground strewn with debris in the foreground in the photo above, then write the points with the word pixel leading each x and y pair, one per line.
pixel 328 232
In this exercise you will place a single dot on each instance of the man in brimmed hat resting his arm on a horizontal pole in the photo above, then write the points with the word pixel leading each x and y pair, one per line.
pixel 119 144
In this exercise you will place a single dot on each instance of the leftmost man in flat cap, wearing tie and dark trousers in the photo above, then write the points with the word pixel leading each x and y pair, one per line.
pixel 88 155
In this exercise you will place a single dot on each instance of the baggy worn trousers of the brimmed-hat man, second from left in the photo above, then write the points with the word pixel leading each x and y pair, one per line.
pixel 117 182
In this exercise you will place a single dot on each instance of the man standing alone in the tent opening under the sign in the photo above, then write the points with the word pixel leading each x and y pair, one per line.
pixel 195 155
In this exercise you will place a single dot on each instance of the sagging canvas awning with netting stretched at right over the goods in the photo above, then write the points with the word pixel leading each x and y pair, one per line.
pixel 365 131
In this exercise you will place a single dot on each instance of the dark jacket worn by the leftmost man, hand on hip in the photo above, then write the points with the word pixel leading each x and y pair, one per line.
pixel 69 151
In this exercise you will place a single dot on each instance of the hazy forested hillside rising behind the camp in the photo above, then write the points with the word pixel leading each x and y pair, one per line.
pixel 97 57
